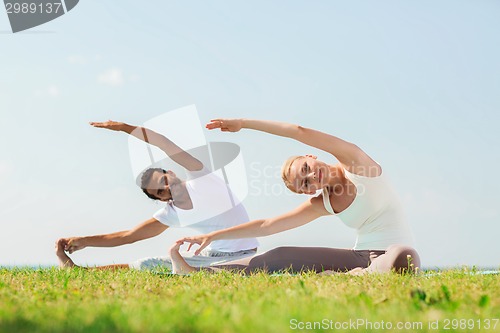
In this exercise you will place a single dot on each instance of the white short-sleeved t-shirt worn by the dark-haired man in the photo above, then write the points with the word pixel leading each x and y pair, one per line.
pixel 214 208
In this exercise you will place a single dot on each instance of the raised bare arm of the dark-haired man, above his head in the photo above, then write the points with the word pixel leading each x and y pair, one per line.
pixel 176 153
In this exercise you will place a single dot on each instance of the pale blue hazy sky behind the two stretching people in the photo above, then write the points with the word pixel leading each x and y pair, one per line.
pixel 415 84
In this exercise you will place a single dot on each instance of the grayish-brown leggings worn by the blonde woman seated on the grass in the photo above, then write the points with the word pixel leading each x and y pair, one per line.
pixel 318 259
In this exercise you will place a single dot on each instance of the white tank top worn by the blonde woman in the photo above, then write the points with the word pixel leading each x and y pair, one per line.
pixel 376 213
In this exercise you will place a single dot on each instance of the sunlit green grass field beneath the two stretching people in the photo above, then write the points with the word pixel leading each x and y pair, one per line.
pixel 78 300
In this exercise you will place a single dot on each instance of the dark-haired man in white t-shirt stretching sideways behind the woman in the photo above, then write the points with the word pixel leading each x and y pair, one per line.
pixel 185 205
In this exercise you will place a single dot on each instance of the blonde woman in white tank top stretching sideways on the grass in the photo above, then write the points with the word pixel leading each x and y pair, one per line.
pixel 355 189
